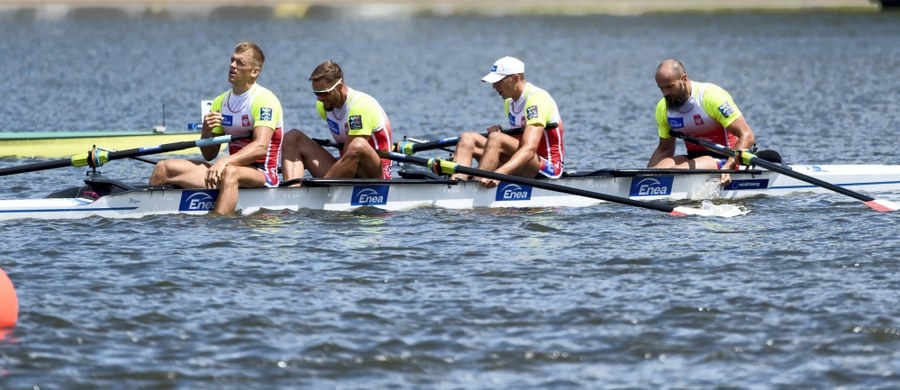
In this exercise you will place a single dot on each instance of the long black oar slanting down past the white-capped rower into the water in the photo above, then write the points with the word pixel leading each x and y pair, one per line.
pixel 448 168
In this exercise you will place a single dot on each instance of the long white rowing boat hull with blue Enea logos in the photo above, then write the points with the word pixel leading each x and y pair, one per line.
pixel 404 194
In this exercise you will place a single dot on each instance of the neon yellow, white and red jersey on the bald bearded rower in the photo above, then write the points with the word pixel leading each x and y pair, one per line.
pixel 705 115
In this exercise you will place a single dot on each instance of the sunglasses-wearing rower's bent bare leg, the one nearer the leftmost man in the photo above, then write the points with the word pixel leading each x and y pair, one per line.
pixel 299 152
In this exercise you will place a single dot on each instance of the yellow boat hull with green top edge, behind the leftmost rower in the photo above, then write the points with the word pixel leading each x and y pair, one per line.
pixel 58 145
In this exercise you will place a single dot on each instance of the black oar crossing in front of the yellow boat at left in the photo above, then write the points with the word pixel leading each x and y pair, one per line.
pixel 96 157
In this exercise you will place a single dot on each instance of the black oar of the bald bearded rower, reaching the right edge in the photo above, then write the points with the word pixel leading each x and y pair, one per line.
pixel 748 158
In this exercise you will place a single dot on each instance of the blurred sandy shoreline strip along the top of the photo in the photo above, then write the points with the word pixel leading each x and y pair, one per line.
pixel 173 9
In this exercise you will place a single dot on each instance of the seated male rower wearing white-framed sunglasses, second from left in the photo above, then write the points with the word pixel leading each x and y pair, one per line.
pixel 355 120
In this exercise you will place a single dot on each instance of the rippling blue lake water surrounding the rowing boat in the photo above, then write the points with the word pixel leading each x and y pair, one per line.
pixel 799 293
